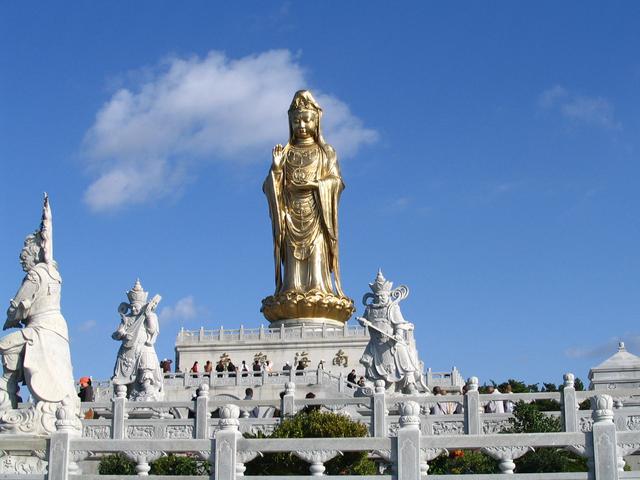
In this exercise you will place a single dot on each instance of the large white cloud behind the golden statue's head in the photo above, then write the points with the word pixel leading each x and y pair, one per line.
pixel 147 139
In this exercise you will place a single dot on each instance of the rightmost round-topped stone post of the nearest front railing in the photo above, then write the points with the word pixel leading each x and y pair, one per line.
pixel 605 458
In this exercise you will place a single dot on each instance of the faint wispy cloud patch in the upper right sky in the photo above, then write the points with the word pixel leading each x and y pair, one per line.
pixel 595 111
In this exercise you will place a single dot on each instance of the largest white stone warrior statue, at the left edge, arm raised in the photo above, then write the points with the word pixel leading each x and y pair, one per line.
pixel 38 354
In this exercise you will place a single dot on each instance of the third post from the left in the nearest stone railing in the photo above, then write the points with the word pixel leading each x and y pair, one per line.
pixel 407 451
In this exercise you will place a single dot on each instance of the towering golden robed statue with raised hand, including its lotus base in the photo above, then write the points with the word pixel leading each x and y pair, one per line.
pixel 303 189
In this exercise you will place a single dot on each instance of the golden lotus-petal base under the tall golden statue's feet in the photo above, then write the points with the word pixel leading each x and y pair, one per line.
pixel 291 308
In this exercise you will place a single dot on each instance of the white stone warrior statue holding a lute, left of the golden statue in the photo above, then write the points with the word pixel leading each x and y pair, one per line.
pixel 137 364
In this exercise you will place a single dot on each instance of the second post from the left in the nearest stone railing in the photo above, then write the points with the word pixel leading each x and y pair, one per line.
pixel 227 443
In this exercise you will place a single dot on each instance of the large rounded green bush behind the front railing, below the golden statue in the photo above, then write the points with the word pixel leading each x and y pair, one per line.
pixel 314 424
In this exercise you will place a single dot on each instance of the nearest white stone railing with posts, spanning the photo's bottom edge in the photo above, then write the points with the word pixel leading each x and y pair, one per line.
pixel 405 456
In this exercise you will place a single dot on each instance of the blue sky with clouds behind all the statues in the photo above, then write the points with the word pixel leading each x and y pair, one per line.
pixel 490 153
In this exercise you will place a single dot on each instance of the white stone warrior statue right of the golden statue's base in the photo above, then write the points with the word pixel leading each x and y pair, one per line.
pixel 391 354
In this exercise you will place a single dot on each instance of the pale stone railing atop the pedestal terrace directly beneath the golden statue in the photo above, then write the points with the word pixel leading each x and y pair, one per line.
pixel 221 335
